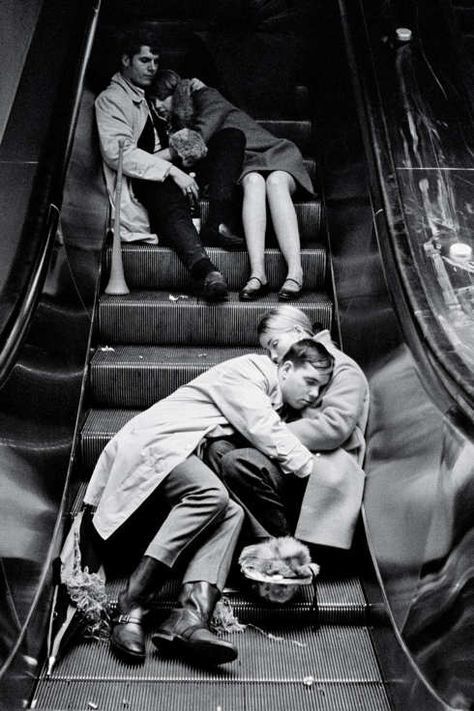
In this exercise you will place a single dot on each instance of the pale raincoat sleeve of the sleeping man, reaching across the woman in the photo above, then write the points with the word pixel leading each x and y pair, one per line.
pixel 246 404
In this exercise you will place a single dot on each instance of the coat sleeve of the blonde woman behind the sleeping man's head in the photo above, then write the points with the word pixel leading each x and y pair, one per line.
pixel 332 422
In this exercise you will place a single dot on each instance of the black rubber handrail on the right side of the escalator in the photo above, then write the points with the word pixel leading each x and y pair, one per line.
pixel 440 364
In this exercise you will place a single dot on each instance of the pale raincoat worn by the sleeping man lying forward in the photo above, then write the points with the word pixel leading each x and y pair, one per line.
pixel 242 392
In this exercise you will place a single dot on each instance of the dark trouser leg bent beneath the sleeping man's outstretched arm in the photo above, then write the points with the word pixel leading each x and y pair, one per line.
pixel 270 499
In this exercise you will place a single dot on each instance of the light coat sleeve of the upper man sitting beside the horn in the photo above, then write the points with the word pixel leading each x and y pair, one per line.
pixel 114 123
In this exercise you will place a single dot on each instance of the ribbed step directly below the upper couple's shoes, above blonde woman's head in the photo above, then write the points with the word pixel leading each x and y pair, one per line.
pixel 158 318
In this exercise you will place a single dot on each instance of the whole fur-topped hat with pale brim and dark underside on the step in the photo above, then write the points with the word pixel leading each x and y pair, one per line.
pixel 278 567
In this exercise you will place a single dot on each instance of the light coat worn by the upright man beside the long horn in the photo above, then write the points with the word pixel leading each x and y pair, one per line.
pixel 121 113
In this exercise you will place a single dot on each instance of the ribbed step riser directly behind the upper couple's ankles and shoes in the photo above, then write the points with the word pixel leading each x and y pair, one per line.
pixel 155 267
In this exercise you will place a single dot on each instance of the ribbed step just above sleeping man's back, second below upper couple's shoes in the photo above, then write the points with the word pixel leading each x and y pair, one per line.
pixel 138 376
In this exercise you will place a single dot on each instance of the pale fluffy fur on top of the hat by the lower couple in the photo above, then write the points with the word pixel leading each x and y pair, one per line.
pixel 285 557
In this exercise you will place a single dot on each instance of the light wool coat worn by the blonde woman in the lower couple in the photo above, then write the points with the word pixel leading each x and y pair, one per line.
pixel 334 429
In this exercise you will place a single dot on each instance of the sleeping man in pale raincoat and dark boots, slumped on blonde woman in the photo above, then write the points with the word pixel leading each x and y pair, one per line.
pixel 156 454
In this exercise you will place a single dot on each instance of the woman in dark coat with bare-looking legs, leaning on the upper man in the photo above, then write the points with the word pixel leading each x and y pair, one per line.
pixel 273 171
